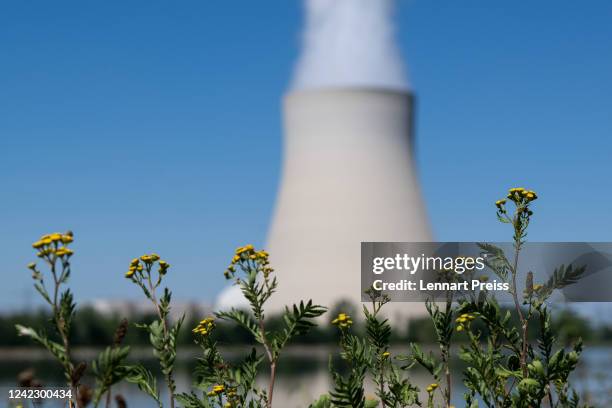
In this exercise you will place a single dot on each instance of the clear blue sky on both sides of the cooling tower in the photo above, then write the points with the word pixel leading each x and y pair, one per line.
pixel 149 125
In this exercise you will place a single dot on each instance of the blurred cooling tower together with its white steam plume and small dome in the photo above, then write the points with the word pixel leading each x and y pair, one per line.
pixel 348 168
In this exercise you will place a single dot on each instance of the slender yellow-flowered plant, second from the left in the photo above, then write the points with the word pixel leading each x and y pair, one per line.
pixel 148 272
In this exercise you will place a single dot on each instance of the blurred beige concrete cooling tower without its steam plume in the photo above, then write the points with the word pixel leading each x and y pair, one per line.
pixel 348 176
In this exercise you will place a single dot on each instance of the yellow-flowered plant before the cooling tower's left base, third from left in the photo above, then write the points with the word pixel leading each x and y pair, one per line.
pixel 226 385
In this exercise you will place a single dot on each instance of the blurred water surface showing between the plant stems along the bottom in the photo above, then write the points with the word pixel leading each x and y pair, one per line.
pixel 302 377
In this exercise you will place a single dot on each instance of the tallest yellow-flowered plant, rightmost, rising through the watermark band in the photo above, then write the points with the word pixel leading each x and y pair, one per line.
pixel 504 369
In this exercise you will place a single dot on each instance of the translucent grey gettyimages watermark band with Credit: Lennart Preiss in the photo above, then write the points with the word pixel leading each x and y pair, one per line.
pixel 421 271
